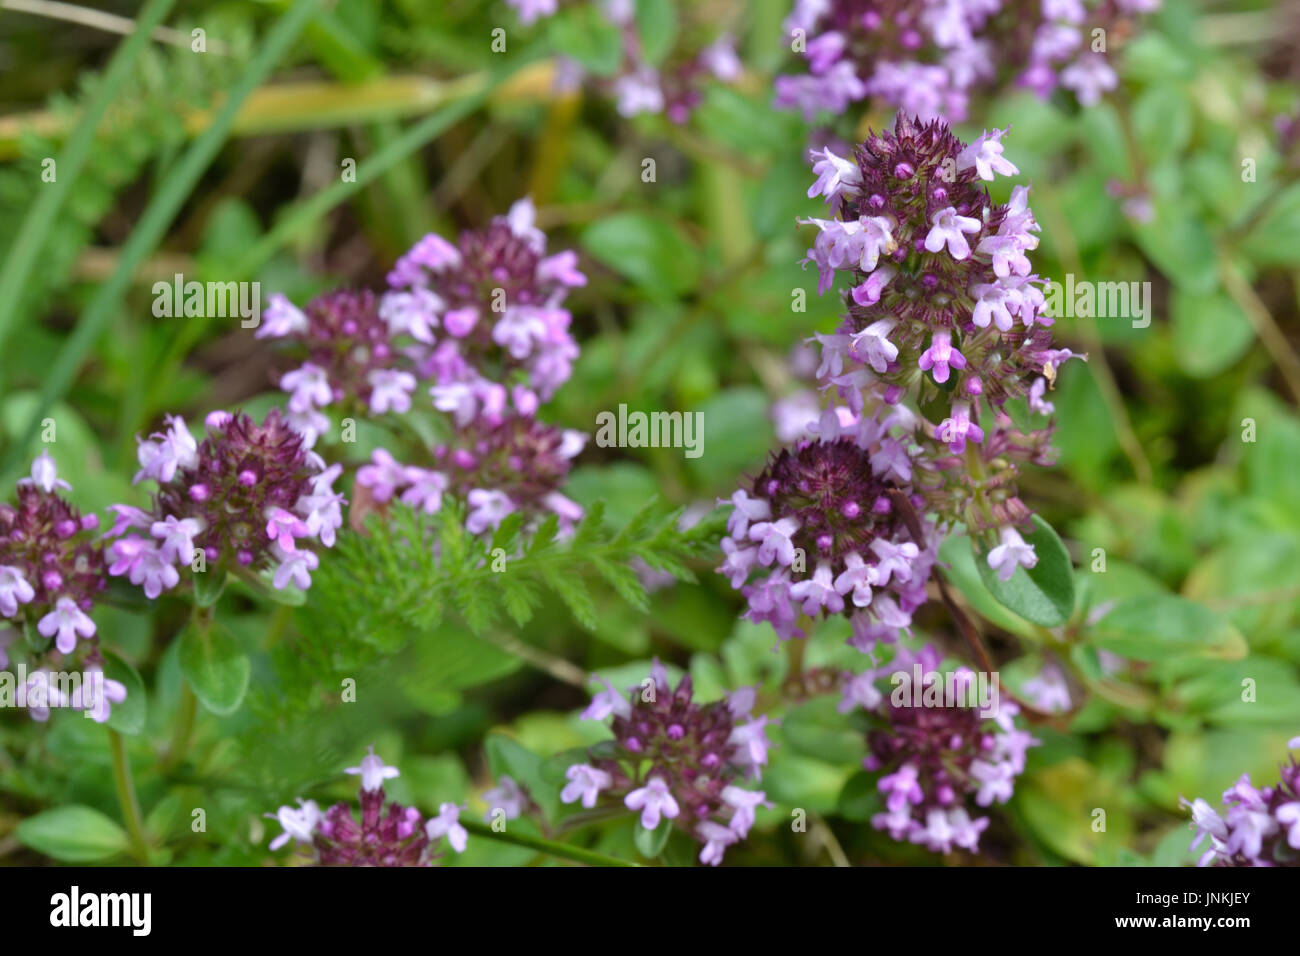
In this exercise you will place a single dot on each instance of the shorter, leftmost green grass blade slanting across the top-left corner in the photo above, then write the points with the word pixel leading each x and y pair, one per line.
pixel 44 213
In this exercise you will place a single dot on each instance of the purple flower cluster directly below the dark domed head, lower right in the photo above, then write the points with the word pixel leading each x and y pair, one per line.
pixel 938 756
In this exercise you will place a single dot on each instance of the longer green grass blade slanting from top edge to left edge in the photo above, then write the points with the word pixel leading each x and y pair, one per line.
pixel 158 217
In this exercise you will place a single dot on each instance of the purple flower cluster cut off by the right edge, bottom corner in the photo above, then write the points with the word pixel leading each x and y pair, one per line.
pixel 1259 828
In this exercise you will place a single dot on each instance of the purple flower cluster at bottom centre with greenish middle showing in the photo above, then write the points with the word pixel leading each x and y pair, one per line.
pixel 674 759
